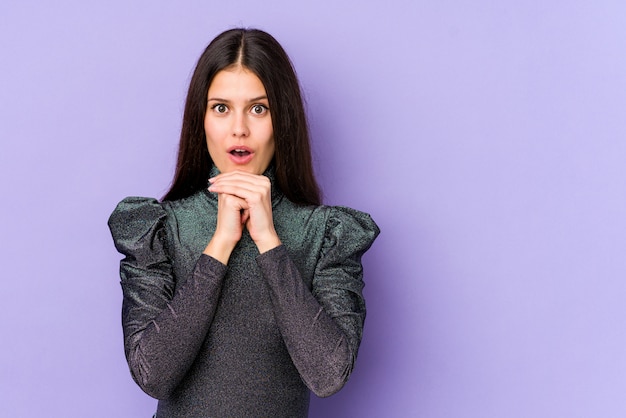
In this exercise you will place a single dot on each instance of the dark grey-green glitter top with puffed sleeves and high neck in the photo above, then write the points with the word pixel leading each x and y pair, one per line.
pixel 247 339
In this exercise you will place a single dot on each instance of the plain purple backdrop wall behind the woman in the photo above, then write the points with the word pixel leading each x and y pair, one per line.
pixel 486 138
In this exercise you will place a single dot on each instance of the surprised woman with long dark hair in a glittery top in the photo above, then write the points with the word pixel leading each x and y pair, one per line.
pixel 240 297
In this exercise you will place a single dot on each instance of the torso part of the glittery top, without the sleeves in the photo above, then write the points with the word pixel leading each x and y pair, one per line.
pixel 243 362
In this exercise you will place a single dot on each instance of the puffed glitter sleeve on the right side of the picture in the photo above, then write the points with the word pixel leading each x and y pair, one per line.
pixel 322 327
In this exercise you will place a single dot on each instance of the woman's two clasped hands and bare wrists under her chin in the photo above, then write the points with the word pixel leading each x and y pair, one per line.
pixel 243 200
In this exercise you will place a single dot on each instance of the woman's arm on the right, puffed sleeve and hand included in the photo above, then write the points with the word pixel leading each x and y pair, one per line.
pixel 321 329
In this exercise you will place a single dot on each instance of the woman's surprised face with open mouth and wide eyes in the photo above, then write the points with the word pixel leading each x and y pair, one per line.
pixel 237 123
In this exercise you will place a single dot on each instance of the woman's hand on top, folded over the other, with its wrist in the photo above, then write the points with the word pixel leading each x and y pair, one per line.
pixel 255 190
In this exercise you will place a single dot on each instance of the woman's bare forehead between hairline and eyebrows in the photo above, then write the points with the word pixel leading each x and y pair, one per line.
pixel 236 83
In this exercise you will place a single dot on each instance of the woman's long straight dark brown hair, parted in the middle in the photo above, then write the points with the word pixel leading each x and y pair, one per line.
pixel 260 53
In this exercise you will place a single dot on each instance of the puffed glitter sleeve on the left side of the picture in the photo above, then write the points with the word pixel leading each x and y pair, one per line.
pixel 164 325
